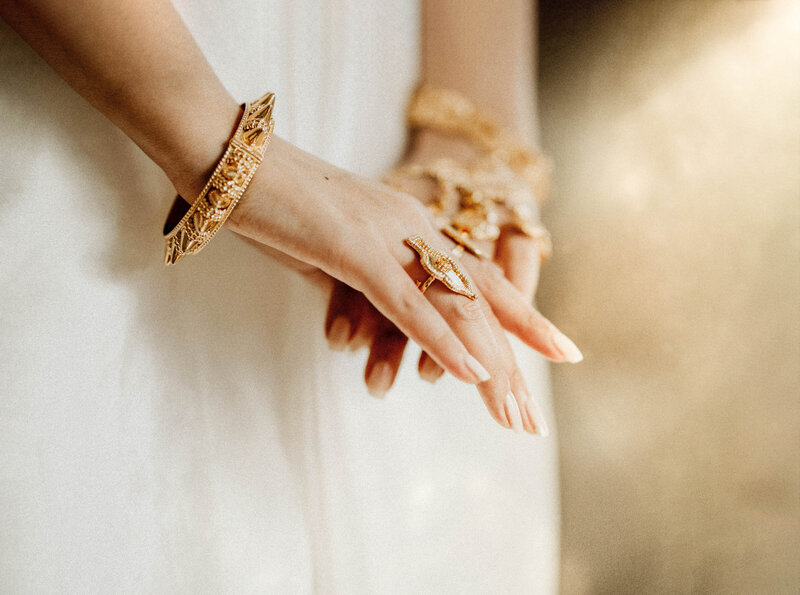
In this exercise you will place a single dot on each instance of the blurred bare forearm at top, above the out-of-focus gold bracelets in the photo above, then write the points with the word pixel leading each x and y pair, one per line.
pixel 485 50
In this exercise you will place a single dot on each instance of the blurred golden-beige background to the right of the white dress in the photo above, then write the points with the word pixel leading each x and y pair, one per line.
pixel 675 128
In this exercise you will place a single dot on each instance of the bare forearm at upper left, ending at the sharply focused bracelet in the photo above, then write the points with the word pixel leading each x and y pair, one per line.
pixel 137 63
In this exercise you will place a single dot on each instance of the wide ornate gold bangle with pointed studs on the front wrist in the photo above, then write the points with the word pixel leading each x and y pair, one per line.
pixel 227 184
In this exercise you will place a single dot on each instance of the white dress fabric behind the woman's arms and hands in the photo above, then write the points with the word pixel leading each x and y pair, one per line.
pixel 187 430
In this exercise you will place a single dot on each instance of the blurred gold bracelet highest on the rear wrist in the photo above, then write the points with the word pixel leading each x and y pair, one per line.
pixel 450 112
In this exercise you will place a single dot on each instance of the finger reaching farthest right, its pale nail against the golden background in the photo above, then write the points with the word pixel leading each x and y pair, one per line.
pixel 517 315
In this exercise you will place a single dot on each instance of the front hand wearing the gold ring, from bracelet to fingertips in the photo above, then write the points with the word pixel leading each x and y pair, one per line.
pixel 353 229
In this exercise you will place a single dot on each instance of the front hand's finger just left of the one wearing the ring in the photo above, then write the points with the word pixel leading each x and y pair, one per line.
pixel 405 305
